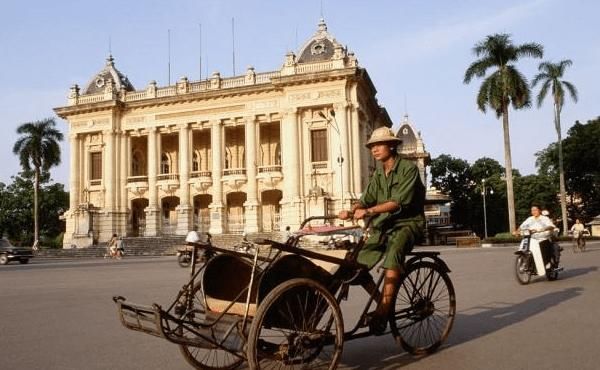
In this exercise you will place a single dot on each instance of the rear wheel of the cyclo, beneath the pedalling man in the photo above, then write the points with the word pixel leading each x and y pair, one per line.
pixel 425 308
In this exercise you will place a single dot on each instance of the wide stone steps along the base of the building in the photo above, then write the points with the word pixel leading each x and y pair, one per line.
pixel 150 246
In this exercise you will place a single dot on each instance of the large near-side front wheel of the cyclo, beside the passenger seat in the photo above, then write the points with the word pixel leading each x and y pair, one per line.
pixel 297 326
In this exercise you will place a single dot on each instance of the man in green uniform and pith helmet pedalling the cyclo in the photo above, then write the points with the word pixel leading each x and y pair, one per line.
pixel 395 198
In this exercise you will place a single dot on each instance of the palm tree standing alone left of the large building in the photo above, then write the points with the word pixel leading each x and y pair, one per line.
pixel 38 148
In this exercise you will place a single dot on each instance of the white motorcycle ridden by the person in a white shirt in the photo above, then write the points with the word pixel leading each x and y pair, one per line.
pixel 531 260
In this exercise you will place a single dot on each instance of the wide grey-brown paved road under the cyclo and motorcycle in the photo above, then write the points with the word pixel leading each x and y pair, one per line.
pixel 58 315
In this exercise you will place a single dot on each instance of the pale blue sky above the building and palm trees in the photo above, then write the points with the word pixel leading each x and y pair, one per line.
pixel 415 52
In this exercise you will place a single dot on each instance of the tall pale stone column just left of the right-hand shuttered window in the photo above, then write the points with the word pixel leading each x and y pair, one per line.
pixel 290 202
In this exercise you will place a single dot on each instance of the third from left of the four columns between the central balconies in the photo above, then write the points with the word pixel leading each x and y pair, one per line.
pixel 217 214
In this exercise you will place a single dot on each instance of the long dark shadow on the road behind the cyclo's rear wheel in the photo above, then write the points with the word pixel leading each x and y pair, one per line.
pixel 498 315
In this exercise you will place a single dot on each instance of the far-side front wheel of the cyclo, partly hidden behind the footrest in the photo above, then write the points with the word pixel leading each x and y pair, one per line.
pixel 206 356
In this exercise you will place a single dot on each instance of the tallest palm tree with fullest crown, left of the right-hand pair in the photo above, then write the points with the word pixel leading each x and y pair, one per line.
pixel 505 86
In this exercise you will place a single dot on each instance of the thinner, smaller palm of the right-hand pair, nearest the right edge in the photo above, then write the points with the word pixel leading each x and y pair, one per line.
pixel 551 75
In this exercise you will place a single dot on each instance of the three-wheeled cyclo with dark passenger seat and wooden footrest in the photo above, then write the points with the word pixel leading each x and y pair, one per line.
pixel 280 306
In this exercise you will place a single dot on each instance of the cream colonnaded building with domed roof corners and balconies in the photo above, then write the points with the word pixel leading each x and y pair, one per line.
pixel 255 152
